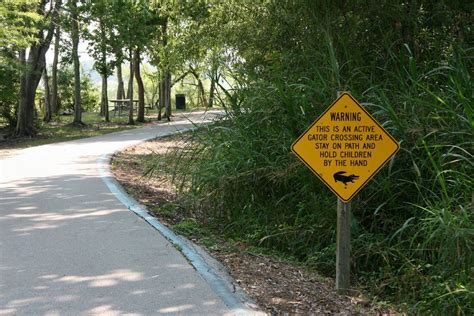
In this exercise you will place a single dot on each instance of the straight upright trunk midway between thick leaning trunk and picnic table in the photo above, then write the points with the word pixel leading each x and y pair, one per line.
pixel 75 58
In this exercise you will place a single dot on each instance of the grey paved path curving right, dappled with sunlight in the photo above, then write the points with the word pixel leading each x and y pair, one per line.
pixel 68 246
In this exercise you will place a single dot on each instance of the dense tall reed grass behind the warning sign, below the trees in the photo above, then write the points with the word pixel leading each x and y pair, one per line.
pixel 413 226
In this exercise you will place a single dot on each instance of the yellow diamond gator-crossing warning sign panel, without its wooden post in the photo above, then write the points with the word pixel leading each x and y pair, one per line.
pixel 345 147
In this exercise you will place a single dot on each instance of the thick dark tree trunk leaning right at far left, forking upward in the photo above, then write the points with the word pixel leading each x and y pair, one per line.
pixel 30 79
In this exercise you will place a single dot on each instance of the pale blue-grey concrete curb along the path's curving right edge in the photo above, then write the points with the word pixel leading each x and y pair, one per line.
pixel 209 268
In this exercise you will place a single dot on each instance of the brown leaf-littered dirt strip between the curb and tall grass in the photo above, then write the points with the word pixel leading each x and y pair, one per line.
pixel 278 287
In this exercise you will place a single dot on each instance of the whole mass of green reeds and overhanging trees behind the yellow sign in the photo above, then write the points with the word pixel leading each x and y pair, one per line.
pixel 410 61
